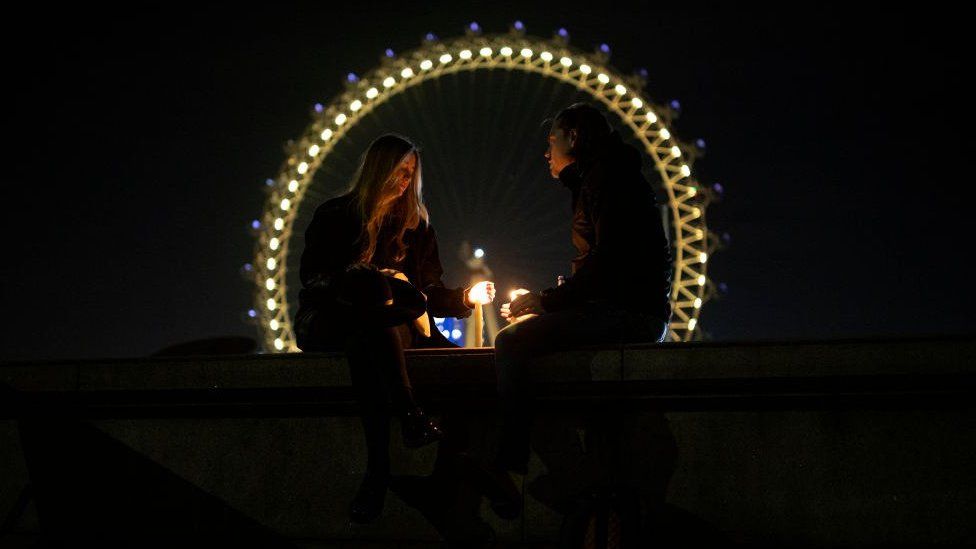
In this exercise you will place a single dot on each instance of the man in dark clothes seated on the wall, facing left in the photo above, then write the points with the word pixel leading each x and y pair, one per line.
pixel 619 290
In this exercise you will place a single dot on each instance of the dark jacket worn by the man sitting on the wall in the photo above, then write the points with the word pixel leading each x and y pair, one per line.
pixel 623 258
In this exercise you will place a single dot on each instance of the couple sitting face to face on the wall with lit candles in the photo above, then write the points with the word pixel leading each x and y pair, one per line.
pixel 371 255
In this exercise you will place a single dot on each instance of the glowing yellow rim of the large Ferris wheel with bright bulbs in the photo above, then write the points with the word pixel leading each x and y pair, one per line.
pixel 551 59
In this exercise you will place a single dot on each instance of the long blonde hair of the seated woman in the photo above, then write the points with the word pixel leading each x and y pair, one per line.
pixel 375 200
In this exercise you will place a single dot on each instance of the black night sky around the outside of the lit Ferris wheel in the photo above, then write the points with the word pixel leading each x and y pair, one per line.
pixel 138 144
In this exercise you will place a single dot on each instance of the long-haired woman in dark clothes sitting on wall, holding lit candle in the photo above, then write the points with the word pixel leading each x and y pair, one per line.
pixel 372 280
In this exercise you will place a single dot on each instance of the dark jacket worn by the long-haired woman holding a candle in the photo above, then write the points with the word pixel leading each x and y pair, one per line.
pixel 333 243
